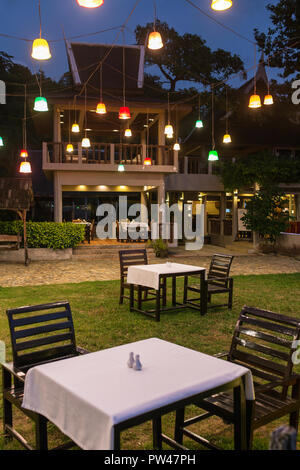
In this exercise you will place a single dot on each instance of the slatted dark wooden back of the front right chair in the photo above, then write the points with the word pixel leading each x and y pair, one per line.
pixel 263 342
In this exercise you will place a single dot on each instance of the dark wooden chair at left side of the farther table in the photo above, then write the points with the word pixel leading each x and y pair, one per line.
pixel 132 258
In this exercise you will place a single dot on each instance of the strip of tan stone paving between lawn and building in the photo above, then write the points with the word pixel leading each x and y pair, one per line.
pixel 81 269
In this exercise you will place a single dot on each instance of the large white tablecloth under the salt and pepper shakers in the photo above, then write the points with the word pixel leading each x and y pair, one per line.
pixel 86 395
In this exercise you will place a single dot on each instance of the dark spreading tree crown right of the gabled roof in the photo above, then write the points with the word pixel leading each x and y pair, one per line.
pixel 187 57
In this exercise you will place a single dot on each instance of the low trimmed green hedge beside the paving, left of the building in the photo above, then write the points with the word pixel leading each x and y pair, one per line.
pixel 57 236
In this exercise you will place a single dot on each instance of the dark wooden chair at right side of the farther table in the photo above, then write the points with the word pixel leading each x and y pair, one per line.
pixel 218 281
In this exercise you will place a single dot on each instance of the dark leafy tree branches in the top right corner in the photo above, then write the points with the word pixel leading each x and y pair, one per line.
pixel 281 42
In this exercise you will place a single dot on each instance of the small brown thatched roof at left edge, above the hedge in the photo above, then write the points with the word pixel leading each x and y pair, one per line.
pixel 15 193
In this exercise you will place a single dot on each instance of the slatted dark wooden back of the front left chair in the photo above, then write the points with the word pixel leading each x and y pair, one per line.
pixel 41 333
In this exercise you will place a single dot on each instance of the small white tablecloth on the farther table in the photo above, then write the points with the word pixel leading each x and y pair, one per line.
pixel 148 275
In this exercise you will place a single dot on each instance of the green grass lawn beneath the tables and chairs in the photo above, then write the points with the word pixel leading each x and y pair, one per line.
pixel 101 323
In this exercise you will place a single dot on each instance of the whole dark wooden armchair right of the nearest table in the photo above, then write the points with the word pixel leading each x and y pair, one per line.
pixel 265 343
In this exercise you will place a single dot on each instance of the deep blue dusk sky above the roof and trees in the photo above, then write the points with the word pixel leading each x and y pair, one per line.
pixel 20 18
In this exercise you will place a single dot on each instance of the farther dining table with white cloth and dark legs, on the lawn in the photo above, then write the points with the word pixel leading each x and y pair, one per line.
pixel 152 276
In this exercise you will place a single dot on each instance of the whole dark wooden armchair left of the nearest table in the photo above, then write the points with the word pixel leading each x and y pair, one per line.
pixel 39 334
